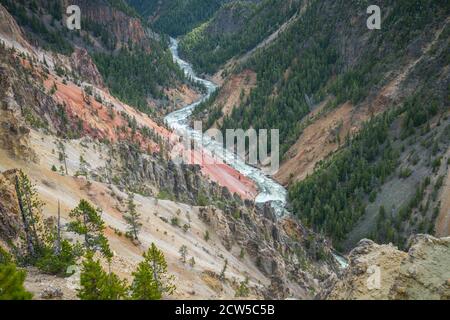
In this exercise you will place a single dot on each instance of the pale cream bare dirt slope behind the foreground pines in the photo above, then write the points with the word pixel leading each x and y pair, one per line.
pixel 209 255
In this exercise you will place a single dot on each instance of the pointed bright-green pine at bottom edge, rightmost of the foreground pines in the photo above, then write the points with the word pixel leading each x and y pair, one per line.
pixel 151 280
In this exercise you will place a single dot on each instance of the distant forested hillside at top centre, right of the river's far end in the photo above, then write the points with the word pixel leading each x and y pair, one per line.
pixel 236 28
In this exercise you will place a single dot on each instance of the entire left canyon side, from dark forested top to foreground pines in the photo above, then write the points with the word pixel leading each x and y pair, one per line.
pixel 87 181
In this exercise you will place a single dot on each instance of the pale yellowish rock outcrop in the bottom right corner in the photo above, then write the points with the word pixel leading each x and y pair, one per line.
pixel 384 272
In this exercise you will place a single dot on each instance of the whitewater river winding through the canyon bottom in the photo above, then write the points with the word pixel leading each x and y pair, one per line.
pixel 269 190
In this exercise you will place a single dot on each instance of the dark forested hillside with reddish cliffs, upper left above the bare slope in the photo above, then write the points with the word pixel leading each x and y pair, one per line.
pixel 135 66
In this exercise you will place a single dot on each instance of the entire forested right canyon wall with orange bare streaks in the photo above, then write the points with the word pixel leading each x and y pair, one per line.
pixel 328 59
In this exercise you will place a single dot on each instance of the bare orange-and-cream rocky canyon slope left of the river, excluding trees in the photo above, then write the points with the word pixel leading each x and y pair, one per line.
pixel 76 141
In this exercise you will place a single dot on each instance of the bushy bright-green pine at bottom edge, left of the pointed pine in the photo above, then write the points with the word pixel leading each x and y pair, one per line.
pixel 96 284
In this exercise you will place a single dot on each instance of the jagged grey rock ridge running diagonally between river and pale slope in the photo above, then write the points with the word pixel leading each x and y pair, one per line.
pixel 295 259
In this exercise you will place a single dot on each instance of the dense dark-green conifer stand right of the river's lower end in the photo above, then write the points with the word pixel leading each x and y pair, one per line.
pixel 333 198
